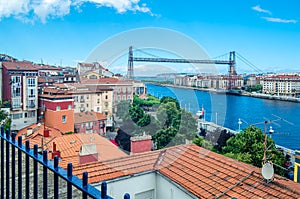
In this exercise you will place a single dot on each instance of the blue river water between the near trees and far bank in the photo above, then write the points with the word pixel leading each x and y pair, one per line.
pixel 226 110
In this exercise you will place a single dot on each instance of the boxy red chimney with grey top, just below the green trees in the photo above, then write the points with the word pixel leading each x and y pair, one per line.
pixel 140 144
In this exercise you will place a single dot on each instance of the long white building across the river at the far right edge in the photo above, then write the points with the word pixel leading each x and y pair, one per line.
pixel 288 85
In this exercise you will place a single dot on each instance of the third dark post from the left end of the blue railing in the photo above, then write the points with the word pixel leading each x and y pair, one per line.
pixel 13 165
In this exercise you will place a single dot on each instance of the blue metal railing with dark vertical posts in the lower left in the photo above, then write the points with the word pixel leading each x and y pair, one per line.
pixel 34 186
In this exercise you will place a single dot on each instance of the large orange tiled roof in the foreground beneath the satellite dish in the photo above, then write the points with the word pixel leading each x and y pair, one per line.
pixel 201 172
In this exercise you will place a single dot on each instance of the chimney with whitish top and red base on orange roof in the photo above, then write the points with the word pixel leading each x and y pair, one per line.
pixel 88 153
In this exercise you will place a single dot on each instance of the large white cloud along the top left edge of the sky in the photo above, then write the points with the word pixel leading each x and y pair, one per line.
pixel 27 10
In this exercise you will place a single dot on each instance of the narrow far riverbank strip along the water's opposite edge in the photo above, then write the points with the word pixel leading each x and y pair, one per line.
pixel 242 93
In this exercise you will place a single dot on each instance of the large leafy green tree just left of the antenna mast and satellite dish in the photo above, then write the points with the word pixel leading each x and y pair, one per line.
pixel 248 146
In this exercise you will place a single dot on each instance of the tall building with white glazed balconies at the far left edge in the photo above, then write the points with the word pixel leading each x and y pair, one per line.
pixel 19 84
